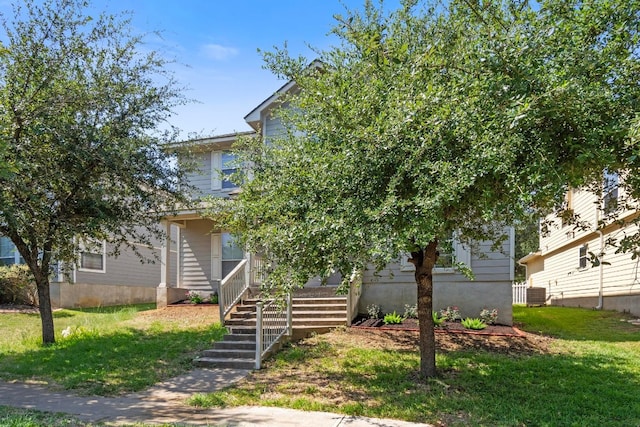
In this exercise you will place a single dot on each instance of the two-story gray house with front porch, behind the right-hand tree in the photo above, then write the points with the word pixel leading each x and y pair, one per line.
pixel 205 255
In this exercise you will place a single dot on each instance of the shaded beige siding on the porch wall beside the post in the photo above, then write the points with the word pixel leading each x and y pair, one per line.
pixel 195 255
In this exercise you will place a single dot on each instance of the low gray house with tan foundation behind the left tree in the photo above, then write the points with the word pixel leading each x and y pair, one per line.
pixel 99 279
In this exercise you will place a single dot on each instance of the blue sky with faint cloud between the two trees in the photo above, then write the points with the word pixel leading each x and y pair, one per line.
pixel 215 43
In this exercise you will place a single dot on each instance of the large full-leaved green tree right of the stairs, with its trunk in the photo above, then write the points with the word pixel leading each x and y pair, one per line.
pixel 436 119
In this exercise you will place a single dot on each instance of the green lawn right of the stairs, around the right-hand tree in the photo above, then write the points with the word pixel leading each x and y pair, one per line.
pixel 590 376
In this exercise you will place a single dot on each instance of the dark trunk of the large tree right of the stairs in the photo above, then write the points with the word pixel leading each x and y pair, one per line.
pixel 425 260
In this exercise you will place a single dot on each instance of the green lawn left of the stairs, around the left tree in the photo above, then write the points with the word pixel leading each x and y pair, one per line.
pixel 110 351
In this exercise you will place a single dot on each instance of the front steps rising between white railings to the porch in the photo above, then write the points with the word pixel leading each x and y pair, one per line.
pixel 312 312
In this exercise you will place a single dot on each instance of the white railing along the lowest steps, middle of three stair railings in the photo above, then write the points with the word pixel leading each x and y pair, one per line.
pixel 272 323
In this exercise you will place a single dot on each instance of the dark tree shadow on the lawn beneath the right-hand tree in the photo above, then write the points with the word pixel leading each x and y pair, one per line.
pixel 484 388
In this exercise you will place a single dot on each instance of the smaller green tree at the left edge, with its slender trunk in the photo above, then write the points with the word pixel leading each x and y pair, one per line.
pixel 82 104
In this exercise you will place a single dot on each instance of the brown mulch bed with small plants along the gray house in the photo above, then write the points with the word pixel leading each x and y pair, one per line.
pixel 445 328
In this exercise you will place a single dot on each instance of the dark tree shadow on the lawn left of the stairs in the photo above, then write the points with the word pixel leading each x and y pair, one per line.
pixel 127 360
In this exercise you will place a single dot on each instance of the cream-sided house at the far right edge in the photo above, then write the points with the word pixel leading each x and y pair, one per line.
pixel 575 266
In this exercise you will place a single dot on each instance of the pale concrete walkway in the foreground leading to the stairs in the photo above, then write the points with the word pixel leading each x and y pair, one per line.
pixel 164 403
